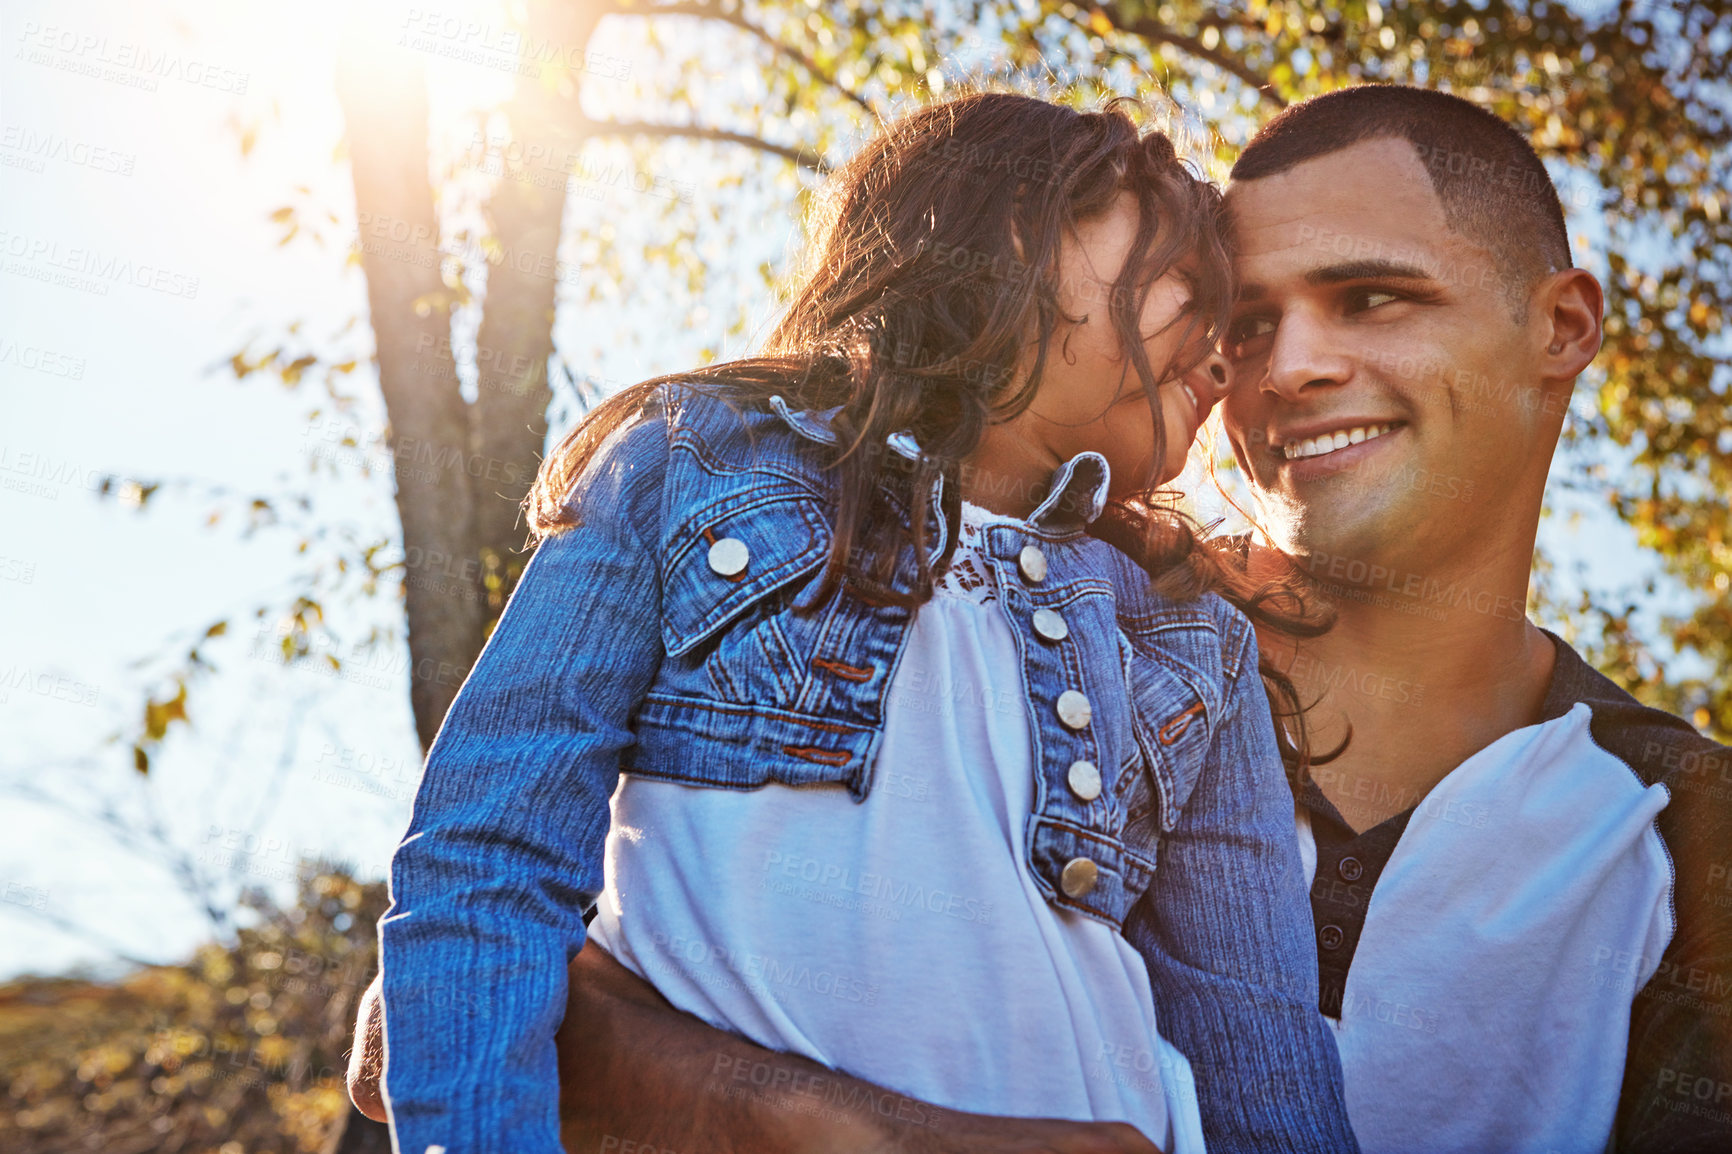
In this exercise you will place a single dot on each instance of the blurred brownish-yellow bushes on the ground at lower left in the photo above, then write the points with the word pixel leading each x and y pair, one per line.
pixel 242 1051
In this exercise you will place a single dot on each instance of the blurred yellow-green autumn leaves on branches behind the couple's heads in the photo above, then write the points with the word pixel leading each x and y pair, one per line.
pixel 1627 101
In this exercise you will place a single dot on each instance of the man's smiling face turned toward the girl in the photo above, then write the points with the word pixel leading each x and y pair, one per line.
pixel 1385 398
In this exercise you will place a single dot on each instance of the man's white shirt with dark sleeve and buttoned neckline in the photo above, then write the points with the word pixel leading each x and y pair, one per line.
pixel 1539 956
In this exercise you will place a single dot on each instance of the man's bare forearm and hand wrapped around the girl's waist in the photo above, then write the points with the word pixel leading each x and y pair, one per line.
pixel 638 1075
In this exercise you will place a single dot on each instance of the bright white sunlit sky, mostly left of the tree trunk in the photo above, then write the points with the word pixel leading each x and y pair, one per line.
pixel 136 257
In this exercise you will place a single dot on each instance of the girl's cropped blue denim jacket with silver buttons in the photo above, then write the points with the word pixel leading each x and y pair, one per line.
pixel 661 639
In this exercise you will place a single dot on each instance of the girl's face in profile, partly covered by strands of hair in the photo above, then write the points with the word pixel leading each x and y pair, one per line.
pixel 1090 396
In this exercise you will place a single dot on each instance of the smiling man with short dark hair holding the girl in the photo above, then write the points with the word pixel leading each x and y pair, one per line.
pixel 1522 879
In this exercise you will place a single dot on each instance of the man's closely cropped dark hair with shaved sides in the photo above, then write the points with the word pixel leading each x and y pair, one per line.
pixel 1490 181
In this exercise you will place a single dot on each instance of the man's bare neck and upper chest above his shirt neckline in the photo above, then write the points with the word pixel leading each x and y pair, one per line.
pixel 1425 671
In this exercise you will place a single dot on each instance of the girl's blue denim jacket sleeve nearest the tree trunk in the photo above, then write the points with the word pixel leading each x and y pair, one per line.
pixel 505 848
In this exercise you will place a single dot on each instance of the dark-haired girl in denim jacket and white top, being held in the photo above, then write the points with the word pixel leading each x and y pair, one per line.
pixel 931 755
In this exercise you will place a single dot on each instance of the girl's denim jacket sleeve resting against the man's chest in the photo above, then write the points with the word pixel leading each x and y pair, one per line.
pixel 1225 930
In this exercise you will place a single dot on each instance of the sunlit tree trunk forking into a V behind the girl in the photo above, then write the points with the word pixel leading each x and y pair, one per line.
pixel 462 470
